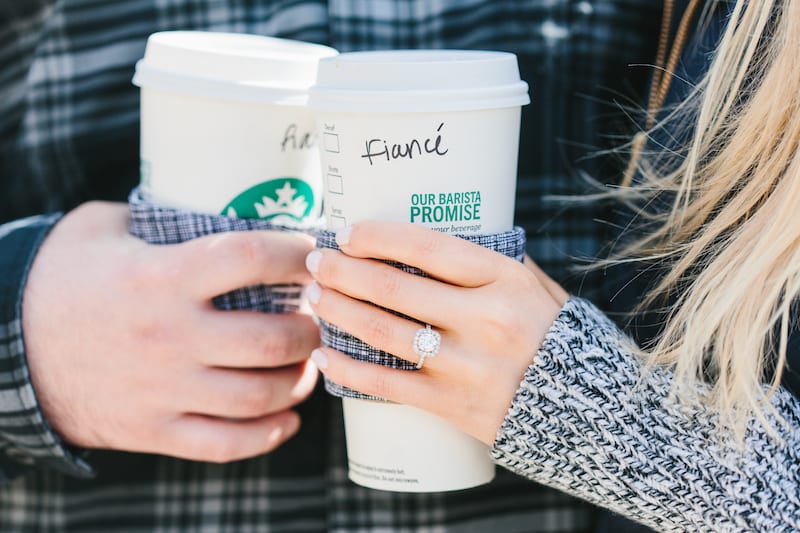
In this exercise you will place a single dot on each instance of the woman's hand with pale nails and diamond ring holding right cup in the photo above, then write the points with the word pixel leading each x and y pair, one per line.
pixel 492 313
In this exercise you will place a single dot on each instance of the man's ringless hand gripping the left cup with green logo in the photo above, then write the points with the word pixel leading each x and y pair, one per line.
pixel 127 352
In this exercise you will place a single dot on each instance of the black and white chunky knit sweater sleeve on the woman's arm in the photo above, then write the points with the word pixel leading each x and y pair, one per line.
pixel 587 420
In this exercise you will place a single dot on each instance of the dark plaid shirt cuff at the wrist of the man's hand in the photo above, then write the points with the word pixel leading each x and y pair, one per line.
pixel 26 439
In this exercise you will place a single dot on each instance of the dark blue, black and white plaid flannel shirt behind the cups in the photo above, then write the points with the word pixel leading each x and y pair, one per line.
pixel 69 133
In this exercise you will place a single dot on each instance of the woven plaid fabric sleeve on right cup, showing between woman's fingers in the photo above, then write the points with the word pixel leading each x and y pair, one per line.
pixel 509 243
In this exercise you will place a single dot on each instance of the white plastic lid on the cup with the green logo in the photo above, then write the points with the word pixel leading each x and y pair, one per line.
pixel 231 66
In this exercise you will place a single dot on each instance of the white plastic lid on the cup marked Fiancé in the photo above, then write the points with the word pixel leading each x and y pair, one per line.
pixel 418 80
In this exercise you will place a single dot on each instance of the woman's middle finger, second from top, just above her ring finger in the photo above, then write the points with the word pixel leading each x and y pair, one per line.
pixel 427 300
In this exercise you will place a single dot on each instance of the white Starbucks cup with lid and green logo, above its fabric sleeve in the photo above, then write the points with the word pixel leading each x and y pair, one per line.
pixel 225 128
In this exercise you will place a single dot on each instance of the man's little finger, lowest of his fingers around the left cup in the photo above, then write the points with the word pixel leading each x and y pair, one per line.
pixel 219 440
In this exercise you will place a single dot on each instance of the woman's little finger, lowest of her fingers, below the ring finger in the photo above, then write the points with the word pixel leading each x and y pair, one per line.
pixel 400 386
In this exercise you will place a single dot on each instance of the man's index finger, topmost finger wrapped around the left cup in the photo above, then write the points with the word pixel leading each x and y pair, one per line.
pixel 219 263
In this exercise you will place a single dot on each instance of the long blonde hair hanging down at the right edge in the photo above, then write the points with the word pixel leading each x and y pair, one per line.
pixel 731 238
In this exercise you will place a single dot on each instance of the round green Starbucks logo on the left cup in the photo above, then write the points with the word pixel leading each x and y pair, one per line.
pixel 278 198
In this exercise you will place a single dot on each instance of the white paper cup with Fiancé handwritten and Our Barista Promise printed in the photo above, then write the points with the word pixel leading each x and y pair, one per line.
pixel 427 137
